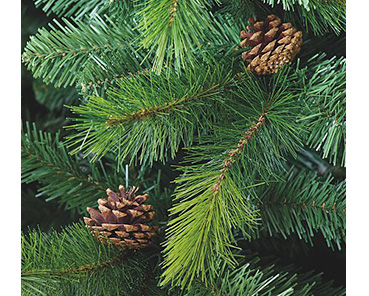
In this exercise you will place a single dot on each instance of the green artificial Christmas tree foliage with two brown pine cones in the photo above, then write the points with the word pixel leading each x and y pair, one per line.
pixel 241 148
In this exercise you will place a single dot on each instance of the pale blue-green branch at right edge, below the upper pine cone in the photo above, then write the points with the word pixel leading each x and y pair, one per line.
pixel 326 108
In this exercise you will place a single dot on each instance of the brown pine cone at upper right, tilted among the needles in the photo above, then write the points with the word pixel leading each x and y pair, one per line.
pixel 273 45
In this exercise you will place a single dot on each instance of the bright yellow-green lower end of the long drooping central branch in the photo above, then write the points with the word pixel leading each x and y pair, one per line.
pixel 203 229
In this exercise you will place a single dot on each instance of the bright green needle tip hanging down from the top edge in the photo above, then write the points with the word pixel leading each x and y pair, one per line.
pixel 163 23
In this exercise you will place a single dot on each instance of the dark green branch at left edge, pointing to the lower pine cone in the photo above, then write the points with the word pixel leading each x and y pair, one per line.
pixel 75 183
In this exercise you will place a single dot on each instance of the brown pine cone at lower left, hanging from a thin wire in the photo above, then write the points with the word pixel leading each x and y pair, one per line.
pixel 122 219
